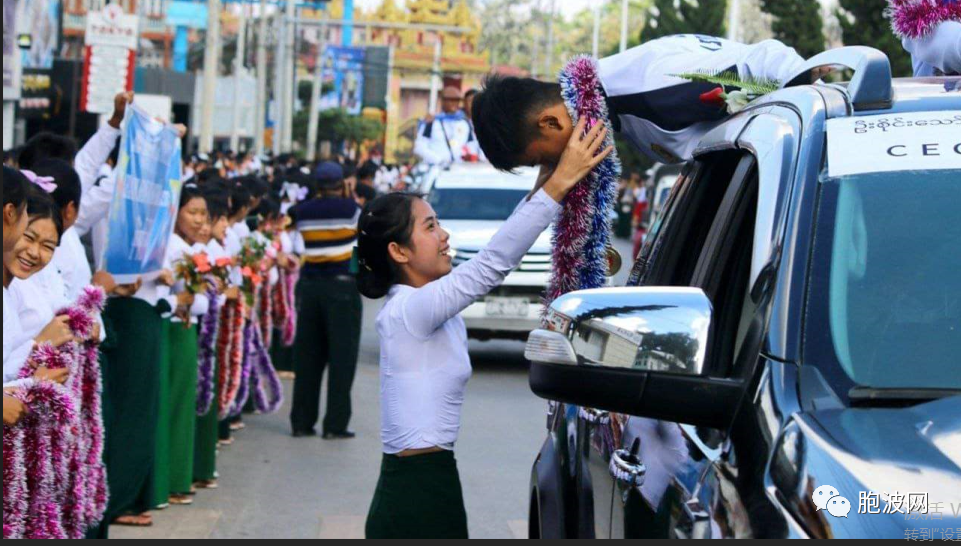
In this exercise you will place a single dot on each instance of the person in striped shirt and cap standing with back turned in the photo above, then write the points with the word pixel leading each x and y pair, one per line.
pixel 330 311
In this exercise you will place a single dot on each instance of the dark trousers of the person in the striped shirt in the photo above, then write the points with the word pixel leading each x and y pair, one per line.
pixel 328 336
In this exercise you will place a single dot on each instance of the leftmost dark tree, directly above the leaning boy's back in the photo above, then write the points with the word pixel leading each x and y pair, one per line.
pixel 685 17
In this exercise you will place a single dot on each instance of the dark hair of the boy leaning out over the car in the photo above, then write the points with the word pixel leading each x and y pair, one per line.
pixel 503 116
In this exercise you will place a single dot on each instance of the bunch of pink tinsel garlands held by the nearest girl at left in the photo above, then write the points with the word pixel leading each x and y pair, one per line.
pixel 59 446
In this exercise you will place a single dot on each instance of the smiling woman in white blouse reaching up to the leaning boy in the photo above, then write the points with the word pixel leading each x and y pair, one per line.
pixel 424 365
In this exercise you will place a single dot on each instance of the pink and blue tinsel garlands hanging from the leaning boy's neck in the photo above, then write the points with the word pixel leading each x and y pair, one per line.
pixel 582 232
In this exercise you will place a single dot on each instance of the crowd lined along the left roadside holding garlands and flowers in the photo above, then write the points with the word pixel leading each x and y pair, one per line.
pixel 178 357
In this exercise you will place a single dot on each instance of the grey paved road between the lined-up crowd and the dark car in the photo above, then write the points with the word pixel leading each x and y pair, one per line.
pixel 272 485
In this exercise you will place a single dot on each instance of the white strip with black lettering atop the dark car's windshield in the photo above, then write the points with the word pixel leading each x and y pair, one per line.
pixel 894 142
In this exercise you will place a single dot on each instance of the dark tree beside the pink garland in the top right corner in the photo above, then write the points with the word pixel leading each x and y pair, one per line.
pixel 863 23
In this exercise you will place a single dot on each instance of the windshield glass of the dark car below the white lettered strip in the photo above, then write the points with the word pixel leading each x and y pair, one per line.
pixel 884 309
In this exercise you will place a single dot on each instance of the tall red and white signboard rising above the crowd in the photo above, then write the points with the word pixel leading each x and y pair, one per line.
pixel 109 58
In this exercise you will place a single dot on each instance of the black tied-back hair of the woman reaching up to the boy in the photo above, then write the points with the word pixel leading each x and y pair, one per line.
pixel 385 220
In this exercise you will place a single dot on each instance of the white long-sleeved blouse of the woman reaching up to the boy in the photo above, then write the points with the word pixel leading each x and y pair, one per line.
pixel 424 364
